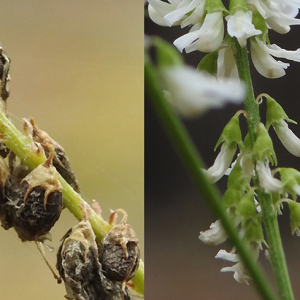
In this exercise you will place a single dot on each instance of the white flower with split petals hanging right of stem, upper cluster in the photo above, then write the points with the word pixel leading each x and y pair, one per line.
pixel 265 64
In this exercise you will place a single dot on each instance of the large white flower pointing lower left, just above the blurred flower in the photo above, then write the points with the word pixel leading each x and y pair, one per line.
pixel 206 37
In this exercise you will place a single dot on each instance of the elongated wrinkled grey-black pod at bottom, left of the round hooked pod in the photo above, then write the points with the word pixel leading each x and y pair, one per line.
pixel 79 267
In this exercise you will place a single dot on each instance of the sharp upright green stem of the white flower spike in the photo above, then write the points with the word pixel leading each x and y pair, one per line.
pixel 268 212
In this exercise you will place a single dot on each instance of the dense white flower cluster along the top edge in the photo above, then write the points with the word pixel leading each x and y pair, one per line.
pixel 206 34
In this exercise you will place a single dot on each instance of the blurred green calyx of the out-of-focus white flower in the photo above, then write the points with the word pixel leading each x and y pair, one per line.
pixel 167 54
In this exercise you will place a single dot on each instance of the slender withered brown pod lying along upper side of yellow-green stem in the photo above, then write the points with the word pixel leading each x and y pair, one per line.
pixel 60 160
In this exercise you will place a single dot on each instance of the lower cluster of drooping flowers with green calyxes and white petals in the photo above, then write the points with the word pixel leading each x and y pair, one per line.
pixel 239 199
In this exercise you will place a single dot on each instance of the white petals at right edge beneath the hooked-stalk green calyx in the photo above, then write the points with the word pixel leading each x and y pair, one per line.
pixel 289 140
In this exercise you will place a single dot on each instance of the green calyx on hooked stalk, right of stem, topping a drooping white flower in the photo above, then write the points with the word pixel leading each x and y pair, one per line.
pixel 275 113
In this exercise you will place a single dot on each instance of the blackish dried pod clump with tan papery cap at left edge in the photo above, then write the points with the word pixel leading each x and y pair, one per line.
pixel 32 201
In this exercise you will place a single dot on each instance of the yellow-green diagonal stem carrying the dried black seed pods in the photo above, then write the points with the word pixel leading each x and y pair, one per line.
pixel 22 146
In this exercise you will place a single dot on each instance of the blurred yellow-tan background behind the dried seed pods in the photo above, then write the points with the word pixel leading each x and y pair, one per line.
pixel 77 70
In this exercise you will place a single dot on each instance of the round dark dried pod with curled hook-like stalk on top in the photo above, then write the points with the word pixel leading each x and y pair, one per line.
pixel 119 253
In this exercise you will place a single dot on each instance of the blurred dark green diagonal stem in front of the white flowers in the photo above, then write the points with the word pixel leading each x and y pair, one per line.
pixel 194 164
